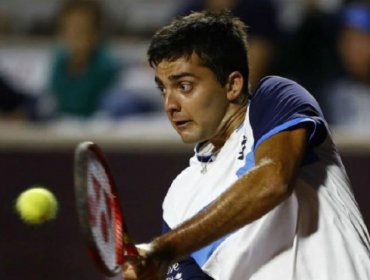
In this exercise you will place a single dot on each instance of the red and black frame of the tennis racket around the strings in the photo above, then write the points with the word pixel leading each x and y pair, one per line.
pixel 125 247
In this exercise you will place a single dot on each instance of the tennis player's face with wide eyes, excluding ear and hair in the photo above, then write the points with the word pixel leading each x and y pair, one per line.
pixel 195 102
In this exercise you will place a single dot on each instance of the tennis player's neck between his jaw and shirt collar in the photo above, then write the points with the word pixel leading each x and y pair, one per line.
pixel 232 121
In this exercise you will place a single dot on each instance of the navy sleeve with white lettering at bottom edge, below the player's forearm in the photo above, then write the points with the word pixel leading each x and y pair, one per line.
pixel 185 269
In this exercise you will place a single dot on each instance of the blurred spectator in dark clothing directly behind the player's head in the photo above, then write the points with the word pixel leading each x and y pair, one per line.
pixel 261 18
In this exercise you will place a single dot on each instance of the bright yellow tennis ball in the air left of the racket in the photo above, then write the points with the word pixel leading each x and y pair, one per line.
pixel 36 205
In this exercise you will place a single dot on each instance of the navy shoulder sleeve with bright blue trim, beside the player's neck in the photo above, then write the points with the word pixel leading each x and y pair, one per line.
pixel 280 104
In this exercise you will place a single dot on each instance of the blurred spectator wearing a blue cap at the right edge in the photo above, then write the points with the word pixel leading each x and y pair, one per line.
pixel 346 99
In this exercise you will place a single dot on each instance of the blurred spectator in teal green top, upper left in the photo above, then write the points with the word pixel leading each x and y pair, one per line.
pixel 83 69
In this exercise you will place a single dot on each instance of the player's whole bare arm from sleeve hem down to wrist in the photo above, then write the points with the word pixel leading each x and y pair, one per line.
pixel 249 198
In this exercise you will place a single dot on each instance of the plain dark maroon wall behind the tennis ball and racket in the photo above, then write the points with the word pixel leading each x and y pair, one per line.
pixel 56 250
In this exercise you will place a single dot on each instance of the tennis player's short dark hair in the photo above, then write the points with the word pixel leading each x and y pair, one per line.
pixel 218 38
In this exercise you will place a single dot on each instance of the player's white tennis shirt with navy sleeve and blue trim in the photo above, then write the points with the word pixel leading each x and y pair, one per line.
pixel 316 234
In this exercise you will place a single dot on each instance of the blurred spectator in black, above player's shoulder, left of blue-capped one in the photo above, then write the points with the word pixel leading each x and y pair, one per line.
pixel 309 30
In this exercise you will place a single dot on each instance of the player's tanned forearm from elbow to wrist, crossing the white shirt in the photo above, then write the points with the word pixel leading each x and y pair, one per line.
pixel 247 200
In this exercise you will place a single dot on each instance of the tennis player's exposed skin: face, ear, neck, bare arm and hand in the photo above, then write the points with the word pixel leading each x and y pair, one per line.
pixel 200 109
